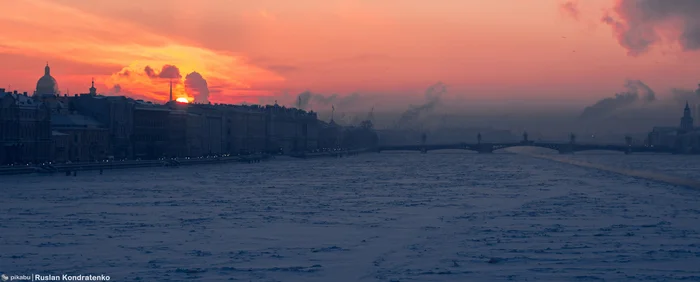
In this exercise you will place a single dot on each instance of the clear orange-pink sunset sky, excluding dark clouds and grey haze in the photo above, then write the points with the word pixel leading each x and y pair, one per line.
pixel 483 50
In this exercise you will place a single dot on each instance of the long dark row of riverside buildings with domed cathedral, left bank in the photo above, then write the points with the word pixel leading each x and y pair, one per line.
pixel 49 126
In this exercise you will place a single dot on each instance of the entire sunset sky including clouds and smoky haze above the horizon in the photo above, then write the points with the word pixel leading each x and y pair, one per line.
pixel 494 58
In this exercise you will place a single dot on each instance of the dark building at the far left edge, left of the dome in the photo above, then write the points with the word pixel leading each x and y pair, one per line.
pixel 25 132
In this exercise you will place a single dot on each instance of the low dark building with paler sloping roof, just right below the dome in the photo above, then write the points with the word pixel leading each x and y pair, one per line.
pixel 78 138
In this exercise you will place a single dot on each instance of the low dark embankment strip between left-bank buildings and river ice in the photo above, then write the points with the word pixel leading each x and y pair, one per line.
pixel 74 167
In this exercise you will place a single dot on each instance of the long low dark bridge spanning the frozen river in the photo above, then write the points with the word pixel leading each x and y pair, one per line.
pixel 563 147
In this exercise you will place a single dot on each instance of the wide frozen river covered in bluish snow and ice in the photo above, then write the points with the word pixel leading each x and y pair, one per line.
pixel 374 217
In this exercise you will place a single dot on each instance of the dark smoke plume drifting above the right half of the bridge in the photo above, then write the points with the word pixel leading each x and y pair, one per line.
pixel 636 91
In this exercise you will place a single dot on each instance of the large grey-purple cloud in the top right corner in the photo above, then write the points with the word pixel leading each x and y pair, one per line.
pixel 640 24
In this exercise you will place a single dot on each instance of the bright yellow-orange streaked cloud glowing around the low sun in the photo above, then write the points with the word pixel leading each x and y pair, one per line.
pixel 116 43
